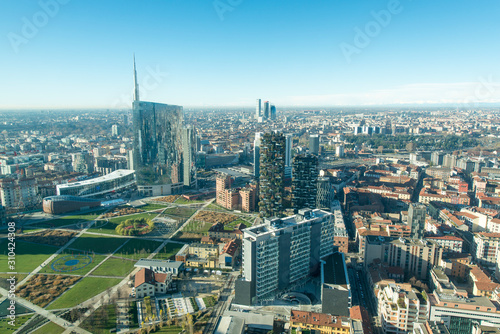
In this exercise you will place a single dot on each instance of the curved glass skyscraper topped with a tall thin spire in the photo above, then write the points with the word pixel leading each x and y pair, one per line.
pixel 158 154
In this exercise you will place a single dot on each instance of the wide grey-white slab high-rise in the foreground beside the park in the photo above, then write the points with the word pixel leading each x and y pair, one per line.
pixel 283 252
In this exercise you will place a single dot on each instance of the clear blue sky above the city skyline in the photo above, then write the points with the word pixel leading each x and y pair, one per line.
pixel 230 52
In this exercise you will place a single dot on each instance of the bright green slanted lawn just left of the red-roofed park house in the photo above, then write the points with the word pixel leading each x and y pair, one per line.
pixel 83 290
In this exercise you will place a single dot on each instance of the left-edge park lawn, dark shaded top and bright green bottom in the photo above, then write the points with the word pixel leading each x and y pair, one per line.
pixel 28 256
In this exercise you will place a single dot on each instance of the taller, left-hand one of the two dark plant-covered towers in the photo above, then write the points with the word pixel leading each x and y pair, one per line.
pixel 272 174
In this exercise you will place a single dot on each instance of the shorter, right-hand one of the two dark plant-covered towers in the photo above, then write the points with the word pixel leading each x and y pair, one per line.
pixel 305 174
